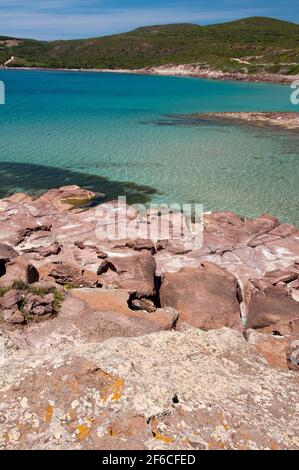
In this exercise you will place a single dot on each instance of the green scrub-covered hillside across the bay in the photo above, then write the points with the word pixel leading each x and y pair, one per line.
pixel 250 45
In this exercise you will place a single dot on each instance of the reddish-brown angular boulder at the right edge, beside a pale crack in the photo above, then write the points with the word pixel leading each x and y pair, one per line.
pixel 271 309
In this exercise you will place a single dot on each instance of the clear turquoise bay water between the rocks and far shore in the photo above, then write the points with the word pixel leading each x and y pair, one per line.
pixel 116 134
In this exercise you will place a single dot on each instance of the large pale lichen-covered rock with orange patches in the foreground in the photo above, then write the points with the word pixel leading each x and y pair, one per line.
pixel 170 390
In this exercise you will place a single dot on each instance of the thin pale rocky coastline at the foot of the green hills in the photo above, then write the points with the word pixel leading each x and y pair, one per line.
pixel 185 70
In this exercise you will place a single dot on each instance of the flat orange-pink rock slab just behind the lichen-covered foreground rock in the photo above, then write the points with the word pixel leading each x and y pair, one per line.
pixel 88 315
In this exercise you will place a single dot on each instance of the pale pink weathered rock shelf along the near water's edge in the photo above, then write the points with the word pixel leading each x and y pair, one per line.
pixel 228 239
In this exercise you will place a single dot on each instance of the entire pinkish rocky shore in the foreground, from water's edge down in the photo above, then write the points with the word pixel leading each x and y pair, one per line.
pixel 145 344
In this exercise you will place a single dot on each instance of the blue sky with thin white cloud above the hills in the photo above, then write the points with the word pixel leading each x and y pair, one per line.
pixel 54 19
